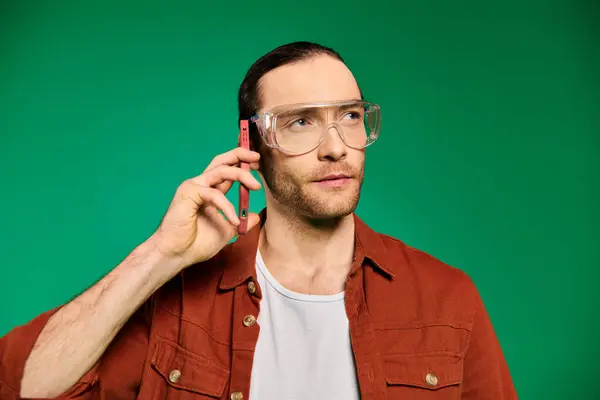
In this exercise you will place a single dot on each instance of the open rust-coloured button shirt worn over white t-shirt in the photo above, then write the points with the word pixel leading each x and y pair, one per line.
pixel 418 328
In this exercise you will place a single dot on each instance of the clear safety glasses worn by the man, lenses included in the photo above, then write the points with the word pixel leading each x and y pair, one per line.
pixel 300 128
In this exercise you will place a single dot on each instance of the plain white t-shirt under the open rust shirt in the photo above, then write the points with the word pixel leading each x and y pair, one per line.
pixel 303 349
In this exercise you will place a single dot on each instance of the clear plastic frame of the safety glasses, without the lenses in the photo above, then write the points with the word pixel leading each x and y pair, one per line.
pixel 269 118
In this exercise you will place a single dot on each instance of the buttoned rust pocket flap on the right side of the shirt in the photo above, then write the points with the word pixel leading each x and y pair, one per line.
pixel 427 370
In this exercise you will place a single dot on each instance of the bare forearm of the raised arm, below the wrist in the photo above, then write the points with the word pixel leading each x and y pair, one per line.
pixel 78 334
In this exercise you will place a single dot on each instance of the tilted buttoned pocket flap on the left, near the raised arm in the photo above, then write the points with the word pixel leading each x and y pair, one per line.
pixel 183 369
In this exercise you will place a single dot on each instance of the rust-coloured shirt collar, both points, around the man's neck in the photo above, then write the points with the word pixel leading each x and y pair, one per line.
pixel 240 257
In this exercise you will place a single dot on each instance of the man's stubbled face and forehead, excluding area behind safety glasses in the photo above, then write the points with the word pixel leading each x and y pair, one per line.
pixel 298 183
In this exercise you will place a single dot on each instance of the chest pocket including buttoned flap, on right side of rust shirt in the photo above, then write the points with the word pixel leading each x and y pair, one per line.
pixel 423 376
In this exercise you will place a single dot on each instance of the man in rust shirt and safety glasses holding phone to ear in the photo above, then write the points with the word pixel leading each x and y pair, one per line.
pixel 311 304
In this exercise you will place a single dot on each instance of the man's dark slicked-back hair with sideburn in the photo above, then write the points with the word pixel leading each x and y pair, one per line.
pixel 249 92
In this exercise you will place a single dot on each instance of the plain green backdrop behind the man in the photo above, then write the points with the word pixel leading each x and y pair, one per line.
pixel 488 156
